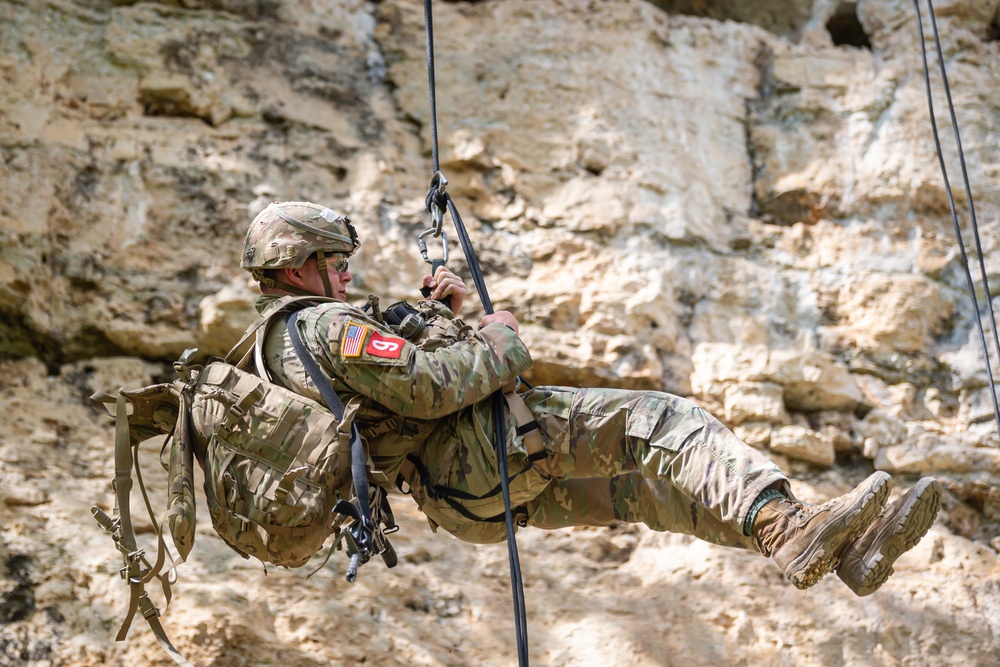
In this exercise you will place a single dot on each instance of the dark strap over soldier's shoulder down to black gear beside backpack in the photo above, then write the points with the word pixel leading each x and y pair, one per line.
pixel 362 530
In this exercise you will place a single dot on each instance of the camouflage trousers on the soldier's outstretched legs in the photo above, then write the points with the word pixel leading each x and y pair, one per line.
pixel 617 455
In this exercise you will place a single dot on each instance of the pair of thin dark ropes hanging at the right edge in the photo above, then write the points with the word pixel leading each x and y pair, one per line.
pixel 951 201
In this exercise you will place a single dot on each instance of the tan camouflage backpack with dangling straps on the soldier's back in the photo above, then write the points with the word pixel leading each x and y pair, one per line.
pixel 282 472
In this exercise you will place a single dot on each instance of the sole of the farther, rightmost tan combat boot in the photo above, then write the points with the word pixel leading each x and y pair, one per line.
pixel 915 518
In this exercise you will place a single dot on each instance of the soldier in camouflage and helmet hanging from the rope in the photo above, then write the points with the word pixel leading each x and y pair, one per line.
pixel 577 456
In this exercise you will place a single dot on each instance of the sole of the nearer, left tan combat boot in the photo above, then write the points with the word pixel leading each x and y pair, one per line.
pixel 814 564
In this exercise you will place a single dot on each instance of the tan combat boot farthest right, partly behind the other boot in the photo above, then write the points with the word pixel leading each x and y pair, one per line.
pixel 867 562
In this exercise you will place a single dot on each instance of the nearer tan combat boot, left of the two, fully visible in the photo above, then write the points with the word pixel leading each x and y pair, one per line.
pixel 806 540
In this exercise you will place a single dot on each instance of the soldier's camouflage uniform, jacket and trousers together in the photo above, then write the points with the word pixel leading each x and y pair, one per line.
pixel 610 455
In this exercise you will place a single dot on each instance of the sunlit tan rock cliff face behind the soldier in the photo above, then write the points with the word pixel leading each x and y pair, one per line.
pixel 738 202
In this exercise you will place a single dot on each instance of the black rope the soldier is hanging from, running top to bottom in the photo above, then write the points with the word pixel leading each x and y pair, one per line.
pixel 443 200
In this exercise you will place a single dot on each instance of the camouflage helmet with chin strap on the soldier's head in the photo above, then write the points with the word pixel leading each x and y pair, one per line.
pixel 287 234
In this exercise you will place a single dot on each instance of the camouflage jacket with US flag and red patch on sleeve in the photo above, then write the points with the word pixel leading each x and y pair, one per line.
pixel 429 399
